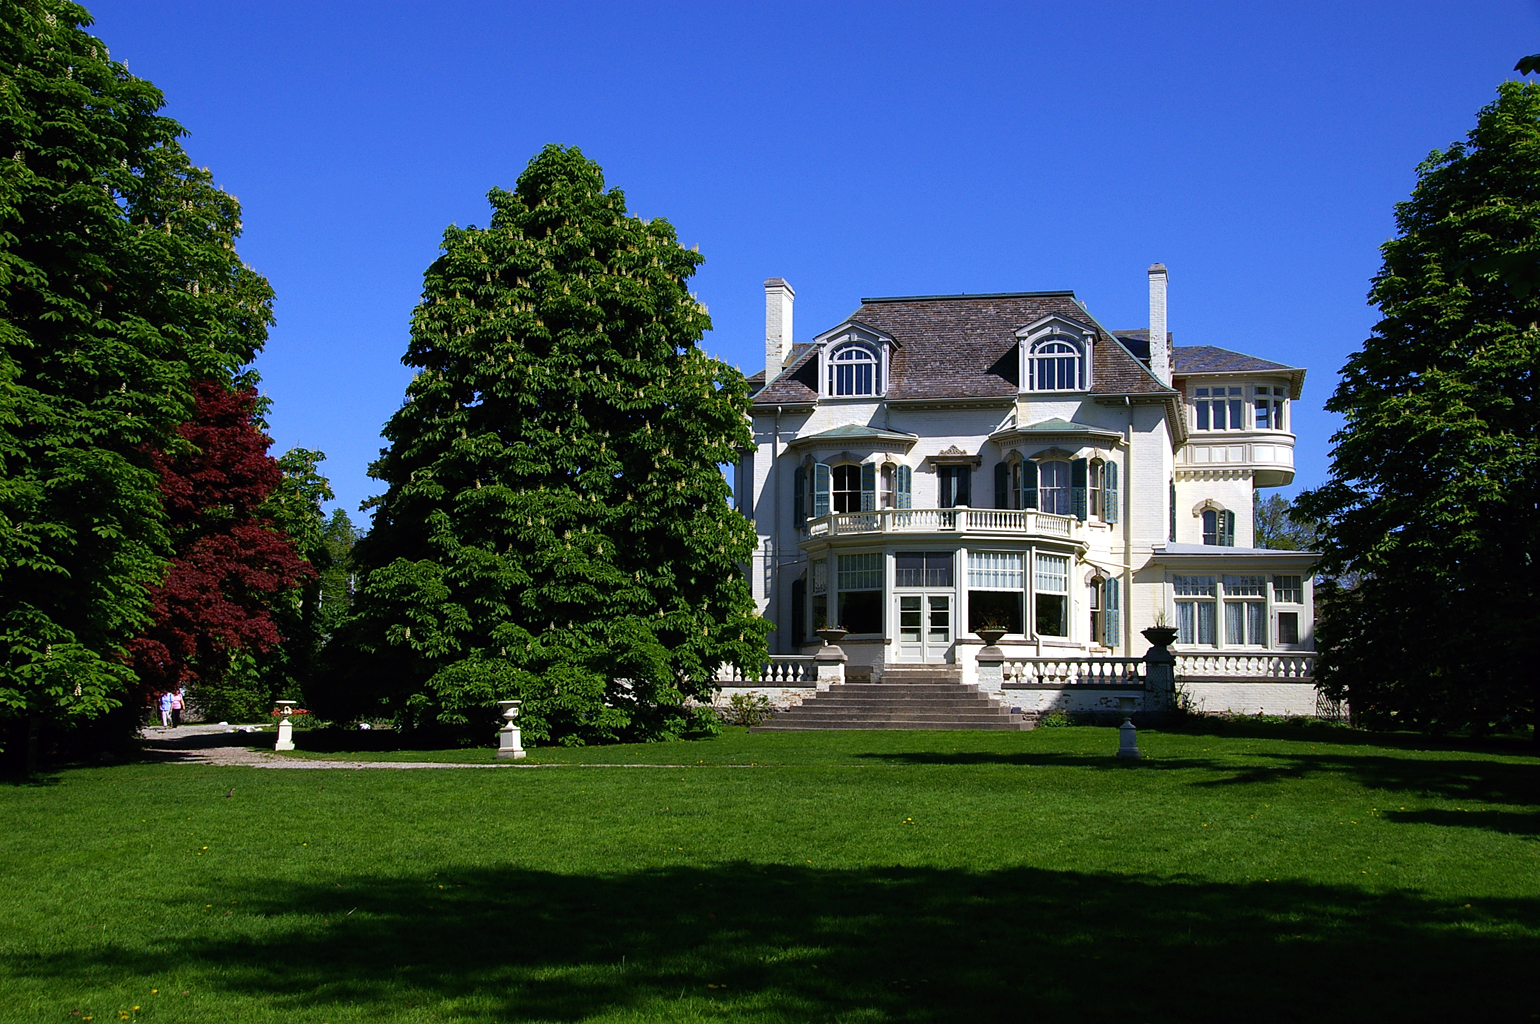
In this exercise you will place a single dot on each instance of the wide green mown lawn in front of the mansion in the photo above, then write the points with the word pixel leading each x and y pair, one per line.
pixel 1244 874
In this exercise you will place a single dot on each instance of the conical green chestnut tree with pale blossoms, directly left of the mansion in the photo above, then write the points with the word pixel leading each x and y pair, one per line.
pixel 555 526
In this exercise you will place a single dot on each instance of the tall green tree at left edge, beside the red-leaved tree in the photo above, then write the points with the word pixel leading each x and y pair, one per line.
pixel 119 286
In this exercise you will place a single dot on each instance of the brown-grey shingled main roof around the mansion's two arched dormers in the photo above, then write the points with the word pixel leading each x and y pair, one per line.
pixel 965 347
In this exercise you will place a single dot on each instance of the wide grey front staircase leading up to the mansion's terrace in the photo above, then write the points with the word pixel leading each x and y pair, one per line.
pixel 908 697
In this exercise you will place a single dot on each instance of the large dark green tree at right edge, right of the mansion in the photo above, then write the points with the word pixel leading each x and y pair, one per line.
pixel 1433 504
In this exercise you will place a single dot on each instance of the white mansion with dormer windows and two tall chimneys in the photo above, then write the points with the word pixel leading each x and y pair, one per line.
pixel 940 464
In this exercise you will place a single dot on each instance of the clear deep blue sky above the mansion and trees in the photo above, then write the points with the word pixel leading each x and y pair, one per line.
pixel 855 150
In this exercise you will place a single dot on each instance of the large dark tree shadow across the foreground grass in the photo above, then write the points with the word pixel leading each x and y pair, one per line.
pixel 771 943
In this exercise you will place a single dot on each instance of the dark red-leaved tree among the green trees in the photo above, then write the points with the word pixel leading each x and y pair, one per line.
pixel 230 563
